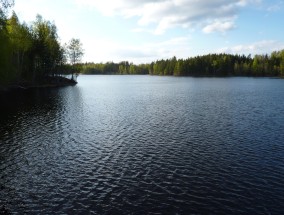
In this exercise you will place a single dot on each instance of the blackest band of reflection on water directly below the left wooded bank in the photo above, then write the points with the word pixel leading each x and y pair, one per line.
pixel 21 102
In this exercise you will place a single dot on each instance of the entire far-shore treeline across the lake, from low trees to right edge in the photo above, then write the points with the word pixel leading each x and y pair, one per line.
pixel 207 65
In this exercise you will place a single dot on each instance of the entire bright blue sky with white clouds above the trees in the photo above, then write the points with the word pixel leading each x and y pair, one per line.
pixel 142 31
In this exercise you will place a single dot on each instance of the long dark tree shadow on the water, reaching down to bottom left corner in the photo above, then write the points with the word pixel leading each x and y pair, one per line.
pixel 23 114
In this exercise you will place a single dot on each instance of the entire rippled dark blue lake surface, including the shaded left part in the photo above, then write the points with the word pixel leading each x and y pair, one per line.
pixel 144 145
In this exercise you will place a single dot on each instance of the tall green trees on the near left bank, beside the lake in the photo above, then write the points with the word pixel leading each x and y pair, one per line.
pixel 32 53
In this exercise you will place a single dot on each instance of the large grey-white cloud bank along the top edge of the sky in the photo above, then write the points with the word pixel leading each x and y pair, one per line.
pixel 211 16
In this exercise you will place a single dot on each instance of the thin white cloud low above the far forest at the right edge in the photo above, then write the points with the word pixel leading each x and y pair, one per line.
pixel 261 47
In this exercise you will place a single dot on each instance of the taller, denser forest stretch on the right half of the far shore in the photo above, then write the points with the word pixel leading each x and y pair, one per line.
pixel 222 65
